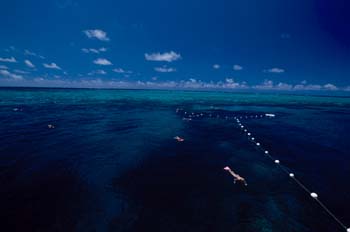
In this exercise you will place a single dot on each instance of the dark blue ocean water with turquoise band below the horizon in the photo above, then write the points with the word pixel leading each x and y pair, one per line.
pixel 111 163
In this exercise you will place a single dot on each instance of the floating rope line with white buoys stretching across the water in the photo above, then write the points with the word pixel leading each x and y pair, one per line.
pixel 189 116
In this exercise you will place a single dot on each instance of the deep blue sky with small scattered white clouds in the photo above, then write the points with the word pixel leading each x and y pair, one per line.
pixel 292 45
